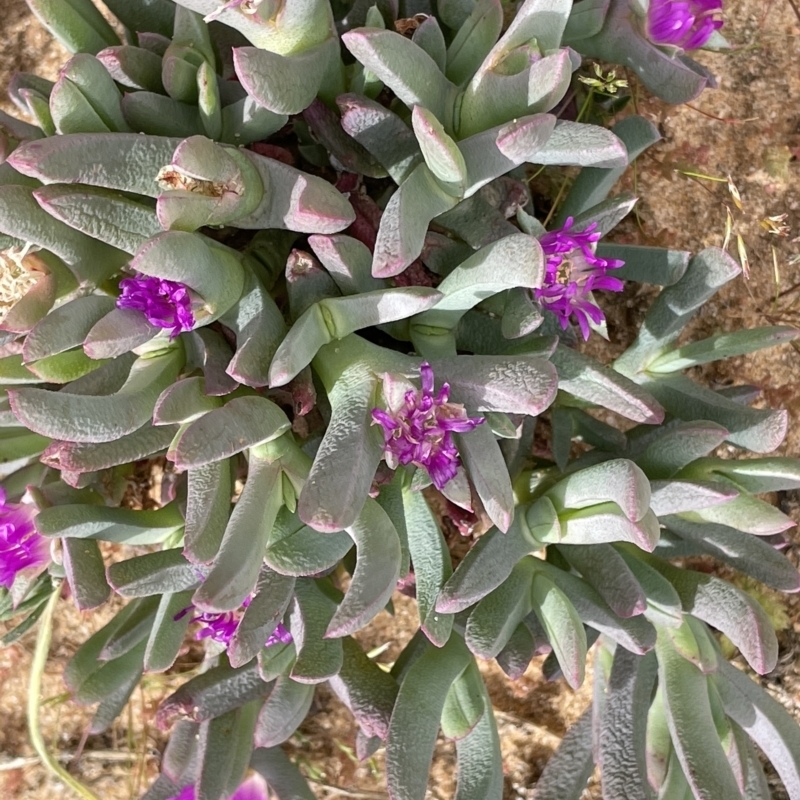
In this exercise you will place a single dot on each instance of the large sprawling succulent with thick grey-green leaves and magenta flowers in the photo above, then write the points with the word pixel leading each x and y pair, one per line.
pixel 291 248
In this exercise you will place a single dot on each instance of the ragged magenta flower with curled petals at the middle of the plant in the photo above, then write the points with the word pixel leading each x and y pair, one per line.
pixel 420 431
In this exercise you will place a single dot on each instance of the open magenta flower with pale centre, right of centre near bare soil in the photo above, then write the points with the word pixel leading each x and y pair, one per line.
pixel 572 273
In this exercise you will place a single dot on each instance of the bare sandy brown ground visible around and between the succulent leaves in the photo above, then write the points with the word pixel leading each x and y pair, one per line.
pixel 749 129
